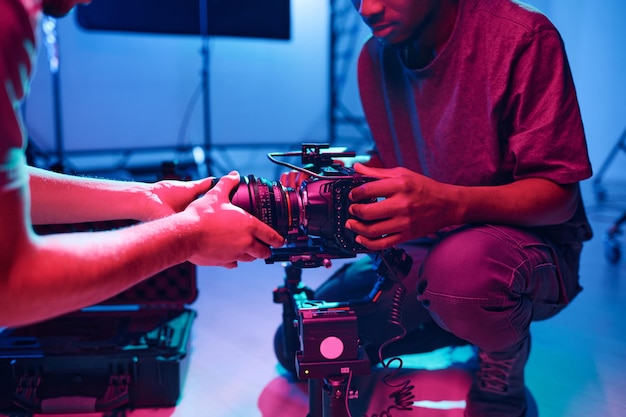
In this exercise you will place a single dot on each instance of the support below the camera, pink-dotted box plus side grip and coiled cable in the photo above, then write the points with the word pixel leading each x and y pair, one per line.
pixel 323 337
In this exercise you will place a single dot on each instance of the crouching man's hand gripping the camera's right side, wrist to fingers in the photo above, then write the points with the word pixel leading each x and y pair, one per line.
pixel 412 206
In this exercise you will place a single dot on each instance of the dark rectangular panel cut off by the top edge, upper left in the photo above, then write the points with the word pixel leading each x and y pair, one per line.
pixel 269 19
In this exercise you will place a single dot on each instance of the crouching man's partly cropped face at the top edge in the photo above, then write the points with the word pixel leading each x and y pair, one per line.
pixel 395 21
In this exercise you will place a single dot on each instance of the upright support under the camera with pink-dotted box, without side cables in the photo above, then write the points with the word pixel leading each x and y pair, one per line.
pixel 328 379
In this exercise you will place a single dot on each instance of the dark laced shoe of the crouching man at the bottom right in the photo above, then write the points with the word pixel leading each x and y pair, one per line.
pixel 498 389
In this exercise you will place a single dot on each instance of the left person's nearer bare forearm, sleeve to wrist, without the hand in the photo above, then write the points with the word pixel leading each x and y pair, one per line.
pixel 62 273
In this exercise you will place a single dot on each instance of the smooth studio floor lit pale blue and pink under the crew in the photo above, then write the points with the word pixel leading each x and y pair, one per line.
pixel 577 365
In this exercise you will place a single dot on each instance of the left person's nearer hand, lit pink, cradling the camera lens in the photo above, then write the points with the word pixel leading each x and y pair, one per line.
pixel 228 234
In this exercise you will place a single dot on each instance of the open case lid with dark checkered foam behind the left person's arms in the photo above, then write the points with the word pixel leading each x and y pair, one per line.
pixel 172 287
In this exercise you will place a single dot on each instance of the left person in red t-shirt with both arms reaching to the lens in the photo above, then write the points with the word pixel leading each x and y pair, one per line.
pixel 44 276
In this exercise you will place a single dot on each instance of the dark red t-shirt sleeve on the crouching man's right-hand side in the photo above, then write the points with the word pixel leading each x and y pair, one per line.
pixel 547 138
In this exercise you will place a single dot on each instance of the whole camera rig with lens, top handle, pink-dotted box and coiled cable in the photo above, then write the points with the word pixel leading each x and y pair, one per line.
pixel 322 336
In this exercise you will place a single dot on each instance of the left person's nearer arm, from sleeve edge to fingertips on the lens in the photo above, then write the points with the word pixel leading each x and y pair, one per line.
pixel 44 276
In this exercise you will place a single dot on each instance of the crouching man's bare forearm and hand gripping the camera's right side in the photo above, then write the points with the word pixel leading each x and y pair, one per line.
pixel 415 206
